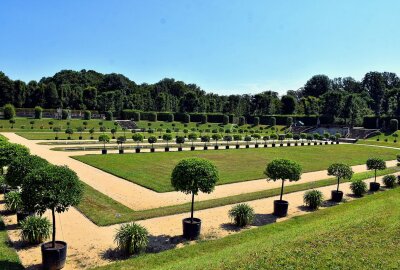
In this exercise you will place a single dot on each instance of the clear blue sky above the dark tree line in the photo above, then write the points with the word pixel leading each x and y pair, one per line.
pixel 224 46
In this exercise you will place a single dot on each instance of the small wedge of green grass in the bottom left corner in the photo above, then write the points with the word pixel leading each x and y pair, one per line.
pixel 8 257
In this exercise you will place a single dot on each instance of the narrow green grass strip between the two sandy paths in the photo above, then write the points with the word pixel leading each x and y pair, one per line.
pixel 103 210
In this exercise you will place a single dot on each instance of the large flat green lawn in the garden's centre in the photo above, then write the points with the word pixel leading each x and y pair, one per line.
pixel 153 170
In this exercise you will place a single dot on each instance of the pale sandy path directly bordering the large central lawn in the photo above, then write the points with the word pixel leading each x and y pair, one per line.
pixel 137 197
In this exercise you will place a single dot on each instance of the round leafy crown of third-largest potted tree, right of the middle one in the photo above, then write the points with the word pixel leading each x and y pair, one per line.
pixel 283 169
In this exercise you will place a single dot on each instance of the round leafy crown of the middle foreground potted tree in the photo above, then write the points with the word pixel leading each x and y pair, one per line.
pixel 192 175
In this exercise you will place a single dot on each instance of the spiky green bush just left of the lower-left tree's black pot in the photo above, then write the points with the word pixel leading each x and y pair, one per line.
pixel 35 229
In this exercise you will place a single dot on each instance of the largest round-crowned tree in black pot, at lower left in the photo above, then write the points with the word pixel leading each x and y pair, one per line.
pixel 54 188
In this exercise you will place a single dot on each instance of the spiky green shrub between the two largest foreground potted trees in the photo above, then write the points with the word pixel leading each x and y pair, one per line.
pixel 132 238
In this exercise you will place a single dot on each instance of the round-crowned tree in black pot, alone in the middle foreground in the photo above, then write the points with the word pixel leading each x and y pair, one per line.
pixel 190 176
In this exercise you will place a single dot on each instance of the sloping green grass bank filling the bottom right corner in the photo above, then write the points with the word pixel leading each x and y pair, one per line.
pixel 362 234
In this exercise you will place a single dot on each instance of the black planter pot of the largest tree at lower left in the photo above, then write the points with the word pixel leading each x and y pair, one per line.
pixel 54 258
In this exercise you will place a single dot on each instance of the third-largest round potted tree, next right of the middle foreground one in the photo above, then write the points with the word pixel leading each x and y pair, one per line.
pixel 285 170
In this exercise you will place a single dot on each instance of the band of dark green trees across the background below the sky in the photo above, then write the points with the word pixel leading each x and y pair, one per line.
pixel 344 99
